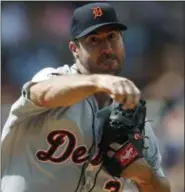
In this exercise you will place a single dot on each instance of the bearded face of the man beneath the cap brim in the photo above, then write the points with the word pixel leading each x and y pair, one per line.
pixel 102 51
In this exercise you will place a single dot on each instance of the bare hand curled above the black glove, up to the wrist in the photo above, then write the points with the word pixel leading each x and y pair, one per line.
pixel 122 90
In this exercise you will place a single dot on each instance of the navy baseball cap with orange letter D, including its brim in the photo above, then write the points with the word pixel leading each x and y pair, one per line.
pixel 92 16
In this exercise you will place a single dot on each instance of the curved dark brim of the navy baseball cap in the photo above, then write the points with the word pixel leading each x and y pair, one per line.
pixel 95 27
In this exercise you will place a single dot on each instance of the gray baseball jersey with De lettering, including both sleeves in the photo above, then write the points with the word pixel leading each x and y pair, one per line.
pixel 44 149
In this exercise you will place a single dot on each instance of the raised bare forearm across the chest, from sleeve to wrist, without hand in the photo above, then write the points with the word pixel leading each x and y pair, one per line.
pixel 63 90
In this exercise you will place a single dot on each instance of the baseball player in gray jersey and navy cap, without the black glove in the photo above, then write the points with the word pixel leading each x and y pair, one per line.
pixel 50 139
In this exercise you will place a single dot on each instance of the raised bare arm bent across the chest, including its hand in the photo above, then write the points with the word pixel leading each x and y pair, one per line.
pixel 60 91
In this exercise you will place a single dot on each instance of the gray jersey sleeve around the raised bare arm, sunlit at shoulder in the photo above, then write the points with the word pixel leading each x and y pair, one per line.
pixel 24 107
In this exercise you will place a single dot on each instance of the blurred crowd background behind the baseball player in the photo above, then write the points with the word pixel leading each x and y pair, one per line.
pixel 35 35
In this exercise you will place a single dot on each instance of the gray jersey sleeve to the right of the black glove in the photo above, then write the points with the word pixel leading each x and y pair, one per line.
pixel 152 154
